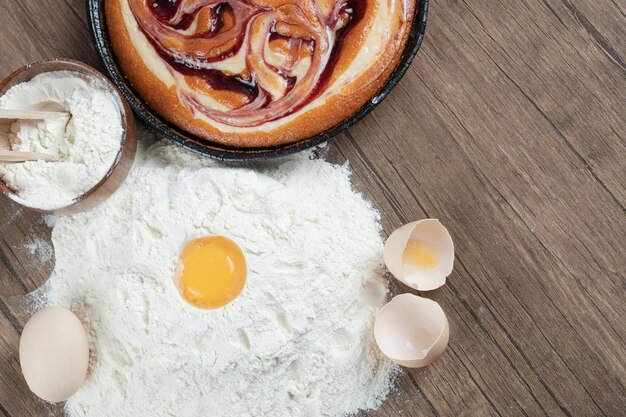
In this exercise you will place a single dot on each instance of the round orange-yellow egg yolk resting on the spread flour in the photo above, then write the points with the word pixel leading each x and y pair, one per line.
pixel 211 272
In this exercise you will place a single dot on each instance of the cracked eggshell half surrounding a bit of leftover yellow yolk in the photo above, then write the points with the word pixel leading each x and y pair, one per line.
pixel 432 232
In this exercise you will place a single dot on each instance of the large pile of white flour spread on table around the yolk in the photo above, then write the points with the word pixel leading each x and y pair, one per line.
pixel 297 342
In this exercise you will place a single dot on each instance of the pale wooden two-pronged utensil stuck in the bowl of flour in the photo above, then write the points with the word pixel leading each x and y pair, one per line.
pixel 9 156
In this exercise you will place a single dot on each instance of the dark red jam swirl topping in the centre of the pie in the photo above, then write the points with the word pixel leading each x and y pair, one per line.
pixel 271 91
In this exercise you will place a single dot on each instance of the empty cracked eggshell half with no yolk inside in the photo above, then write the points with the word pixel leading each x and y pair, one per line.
pixel 412 331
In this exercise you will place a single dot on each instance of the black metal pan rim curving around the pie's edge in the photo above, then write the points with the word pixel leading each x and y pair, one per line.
pixel 99 32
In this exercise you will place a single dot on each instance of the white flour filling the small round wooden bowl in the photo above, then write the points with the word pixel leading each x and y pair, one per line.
pixel 85 144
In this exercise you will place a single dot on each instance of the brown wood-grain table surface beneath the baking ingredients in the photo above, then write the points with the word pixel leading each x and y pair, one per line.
pixel 510 127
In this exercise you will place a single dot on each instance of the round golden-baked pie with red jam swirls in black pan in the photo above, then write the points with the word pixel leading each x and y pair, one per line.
pixel 258 73
